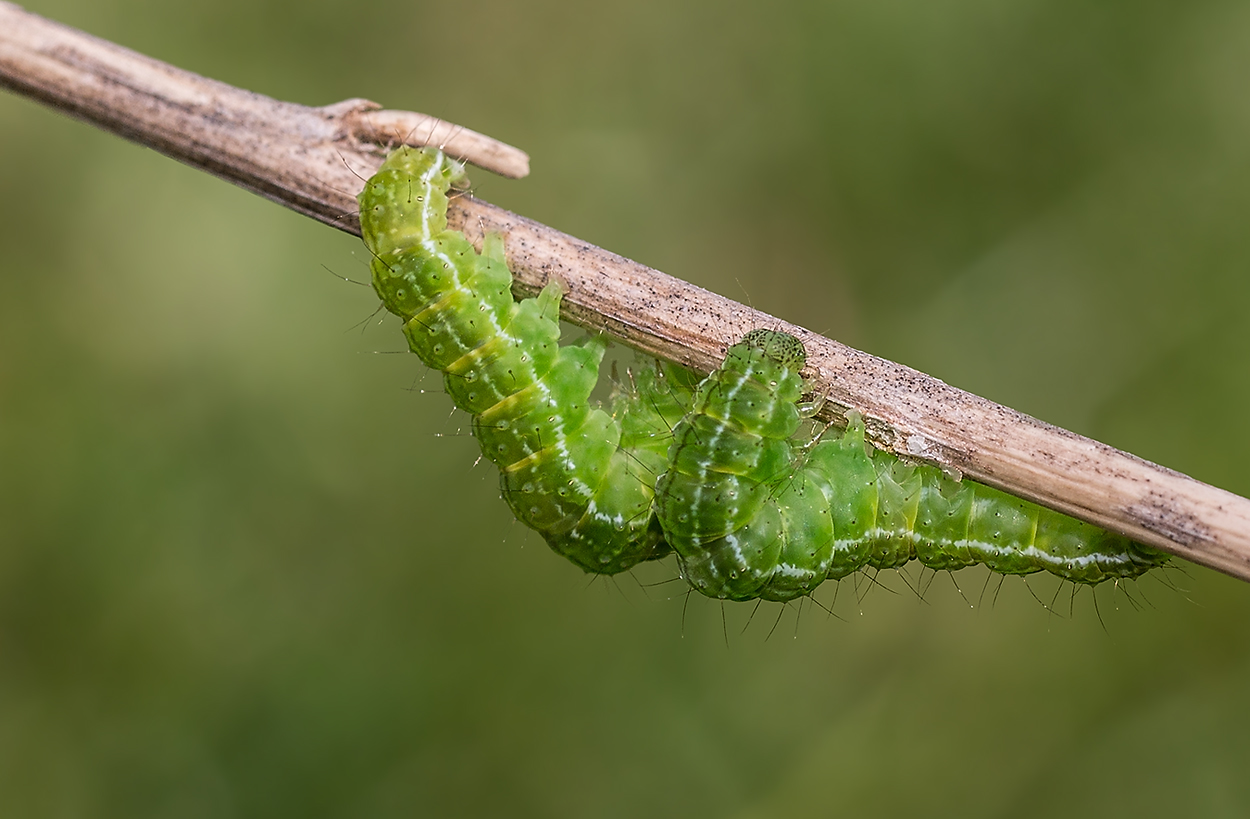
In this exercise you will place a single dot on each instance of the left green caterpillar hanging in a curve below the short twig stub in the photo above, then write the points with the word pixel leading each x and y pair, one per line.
pixel 569 470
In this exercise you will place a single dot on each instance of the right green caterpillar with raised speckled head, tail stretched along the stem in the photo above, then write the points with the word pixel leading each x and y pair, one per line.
pixel 753 515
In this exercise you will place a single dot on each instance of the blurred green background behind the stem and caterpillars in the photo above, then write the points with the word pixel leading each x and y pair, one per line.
pixel 248 571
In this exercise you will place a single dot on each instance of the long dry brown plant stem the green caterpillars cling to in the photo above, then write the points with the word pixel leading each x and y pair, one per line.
pixel 314 161
